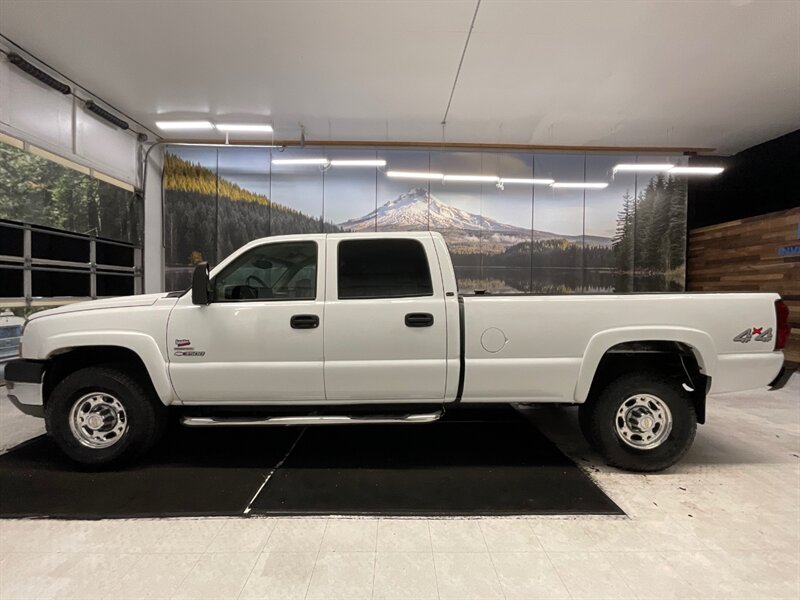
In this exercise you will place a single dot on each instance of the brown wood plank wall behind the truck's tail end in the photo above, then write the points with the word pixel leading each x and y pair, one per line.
pixel 743 256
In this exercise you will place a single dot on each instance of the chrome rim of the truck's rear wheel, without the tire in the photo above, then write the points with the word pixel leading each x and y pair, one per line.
pixel 643 421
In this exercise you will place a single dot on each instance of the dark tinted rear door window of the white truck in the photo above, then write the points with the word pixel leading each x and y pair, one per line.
pixel 383 269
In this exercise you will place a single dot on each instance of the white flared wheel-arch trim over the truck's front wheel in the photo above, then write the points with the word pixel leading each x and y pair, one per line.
pixel 142 344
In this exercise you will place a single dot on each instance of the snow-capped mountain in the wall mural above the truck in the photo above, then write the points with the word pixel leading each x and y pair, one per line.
pixel 418 210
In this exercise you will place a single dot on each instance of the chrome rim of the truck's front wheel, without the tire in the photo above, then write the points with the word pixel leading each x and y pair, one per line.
pixel 98 420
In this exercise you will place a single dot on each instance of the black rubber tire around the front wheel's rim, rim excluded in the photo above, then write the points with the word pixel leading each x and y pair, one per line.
pixel 144 416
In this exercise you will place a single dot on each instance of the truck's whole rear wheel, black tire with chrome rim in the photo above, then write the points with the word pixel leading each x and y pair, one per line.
pixel 641 422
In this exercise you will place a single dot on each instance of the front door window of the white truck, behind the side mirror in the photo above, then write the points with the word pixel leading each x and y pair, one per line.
pixel 286 271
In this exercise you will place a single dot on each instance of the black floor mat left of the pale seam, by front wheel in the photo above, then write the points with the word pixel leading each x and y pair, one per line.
pixel 193 473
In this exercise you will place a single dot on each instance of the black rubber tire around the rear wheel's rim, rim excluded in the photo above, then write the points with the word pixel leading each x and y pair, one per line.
pixel 600 416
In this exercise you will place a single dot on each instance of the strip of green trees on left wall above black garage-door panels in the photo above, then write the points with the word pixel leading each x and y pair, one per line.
pixel 42 192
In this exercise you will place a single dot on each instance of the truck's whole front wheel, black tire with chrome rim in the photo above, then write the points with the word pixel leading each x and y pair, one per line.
pixel 102 416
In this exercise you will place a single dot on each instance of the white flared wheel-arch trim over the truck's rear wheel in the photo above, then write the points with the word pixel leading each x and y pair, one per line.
pixel 701 343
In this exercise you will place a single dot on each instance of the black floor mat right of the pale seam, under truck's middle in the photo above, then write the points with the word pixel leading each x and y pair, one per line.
pixel 471 463
